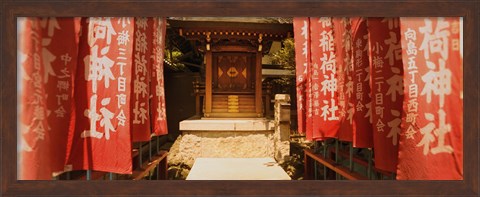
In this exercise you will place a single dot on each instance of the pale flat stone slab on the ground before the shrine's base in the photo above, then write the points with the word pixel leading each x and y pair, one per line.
pixel 237 169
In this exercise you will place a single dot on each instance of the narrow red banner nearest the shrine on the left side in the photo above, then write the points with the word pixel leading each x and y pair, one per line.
pixel 159 116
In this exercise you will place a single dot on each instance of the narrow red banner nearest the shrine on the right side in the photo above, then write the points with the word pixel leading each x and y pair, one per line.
pixel 302 58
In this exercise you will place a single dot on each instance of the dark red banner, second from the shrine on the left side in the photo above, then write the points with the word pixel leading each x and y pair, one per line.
pixel 142 61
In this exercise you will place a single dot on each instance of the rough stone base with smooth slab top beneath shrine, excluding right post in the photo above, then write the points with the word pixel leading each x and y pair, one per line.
pixel 245 138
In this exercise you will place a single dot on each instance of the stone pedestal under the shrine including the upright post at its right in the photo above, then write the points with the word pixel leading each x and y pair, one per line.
pixel 234 138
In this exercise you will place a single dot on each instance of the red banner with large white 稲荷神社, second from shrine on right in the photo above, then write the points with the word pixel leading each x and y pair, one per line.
pixel 325 115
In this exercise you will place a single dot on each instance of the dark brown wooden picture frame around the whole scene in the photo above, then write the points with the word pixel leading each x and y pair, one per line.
pixel 10 9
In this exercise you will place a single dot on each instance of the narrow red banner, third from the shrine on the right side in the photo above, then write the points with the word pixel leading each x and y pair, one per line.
pixel 343 50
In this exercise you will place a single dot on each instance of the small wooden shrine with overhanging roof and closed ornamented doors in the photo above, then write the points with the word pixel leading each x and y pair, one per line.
pixel 233 54
